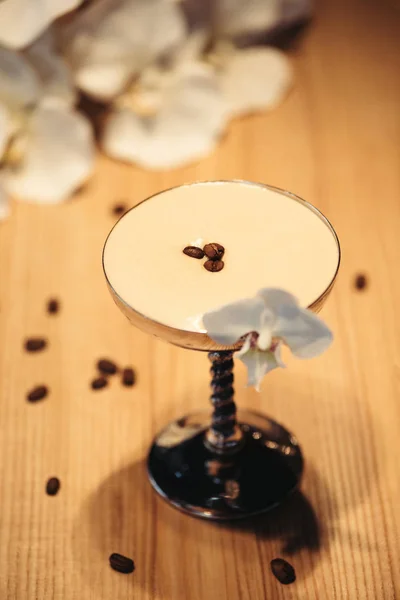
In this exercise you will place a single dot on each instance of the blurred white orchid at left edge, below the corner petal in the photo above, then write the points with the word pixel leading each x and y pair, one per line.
pixel 46 147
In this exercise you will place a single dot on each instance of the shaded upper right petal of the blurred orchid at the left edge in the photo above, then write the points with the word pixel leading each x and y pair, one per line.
pixel 55 78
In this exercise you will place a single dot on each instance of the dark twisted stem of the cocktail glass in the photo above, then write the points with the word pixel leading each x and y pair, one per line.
pixel 224 434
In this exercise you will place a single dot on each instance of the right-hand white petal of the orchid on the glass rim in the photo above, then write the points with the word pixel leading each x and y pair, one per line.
pixel 305 333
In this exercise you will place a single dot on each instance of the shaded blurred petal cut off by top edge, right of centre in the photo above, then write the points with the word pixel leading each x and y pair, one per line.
pixel 237 18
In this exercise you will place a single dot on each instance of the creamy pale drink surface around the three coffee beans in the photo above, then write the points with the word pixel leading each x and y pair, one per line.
pixel 270 240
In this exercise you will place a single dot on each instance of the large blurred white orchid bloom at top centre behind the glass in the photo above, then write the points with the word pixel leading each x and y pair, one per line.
pixel 176 109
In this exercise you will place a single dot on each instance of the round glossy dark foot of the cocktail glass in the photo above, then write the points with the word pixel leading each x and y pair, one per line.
pixel 256 478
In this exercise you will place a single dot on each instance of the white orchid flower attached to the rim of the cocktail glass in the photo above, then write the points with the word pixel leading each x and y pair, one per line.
pixel 265 322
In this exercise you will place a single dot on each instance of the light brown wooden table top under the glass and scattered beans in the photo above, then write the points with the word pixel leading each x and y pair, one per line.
pixel 335 141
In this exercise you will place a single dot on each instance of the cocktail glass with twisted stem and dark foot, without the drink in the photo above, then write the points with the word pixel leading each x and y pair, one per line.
pixel 235 463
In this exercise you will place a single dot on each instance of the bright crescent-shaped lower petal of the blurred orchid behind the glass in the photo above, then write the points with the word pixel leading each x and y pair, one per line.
pixel 191 119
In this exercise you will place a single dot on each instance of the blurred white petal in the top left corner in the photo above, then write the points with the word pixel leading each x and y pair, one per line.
pixel 22 21
